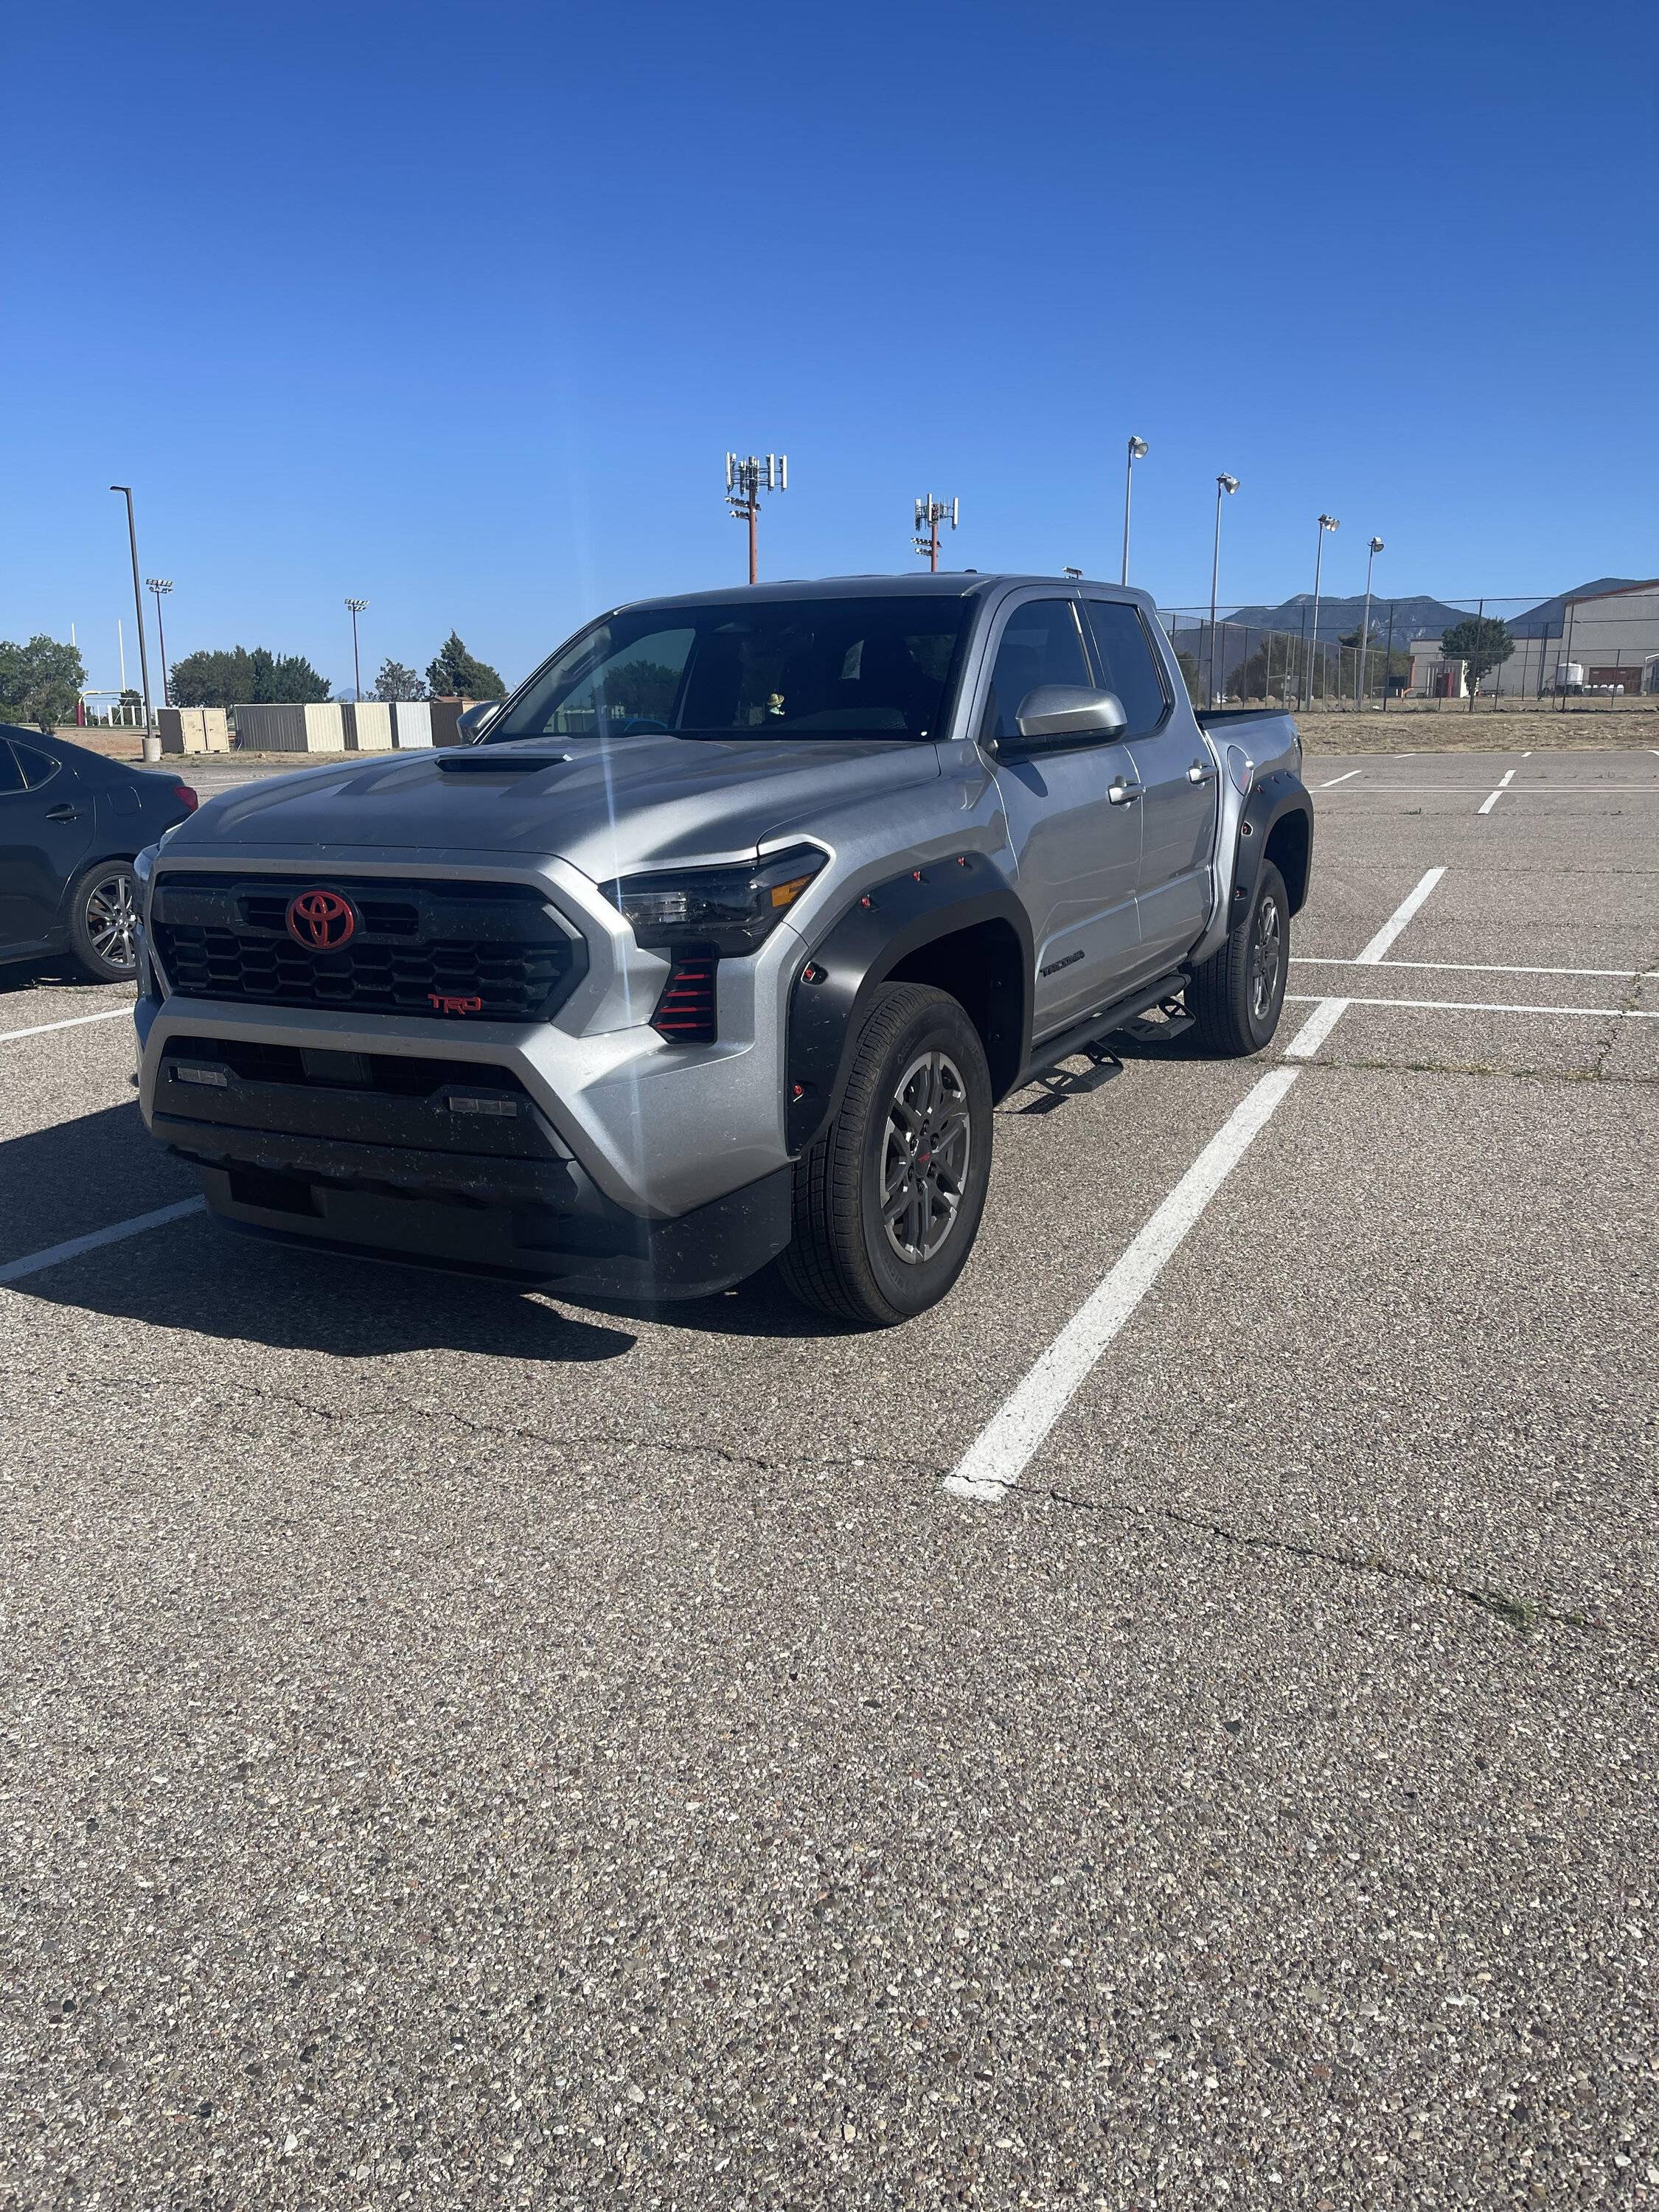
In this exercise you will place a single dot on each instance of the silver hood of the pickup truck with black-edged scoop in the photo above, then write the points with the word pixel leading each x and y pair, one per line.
pixel 603 806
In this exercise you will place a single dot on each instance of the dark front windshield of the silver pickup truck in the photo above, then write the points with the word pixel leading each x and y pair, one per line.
pixel 758 669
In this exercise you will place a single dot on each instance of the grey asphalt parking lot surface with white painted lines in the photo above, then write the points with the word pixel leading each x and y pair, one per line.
pixel 1173 1726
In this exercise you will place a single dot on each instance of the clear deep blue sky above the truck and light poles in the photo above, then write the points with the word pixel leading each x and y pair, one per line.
pixel 457 309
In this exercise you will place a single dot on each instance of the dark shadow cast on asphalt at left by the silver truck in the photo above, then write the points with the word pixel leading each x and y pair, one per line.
pixel 202 1280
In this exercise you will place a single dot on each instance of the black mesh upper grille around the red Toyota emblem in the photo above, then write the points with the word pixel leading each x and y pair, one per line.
pixel 432 950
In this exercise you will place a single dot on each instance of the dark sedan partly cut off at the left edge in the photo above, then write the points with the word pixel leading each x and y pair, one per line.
pixel 70 828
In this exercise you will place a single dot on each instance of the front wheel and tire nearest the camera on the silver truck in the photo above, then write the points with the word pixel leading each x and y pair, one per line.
pixel 917 1074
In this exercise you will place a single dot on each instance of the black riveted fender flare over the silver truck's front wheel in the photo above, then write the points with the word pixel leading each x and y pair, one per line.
pixel 839 977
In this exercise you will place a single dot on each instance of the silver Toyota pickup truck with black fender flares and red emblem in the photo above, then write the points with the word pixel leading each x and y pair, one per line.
pixel 722 943
